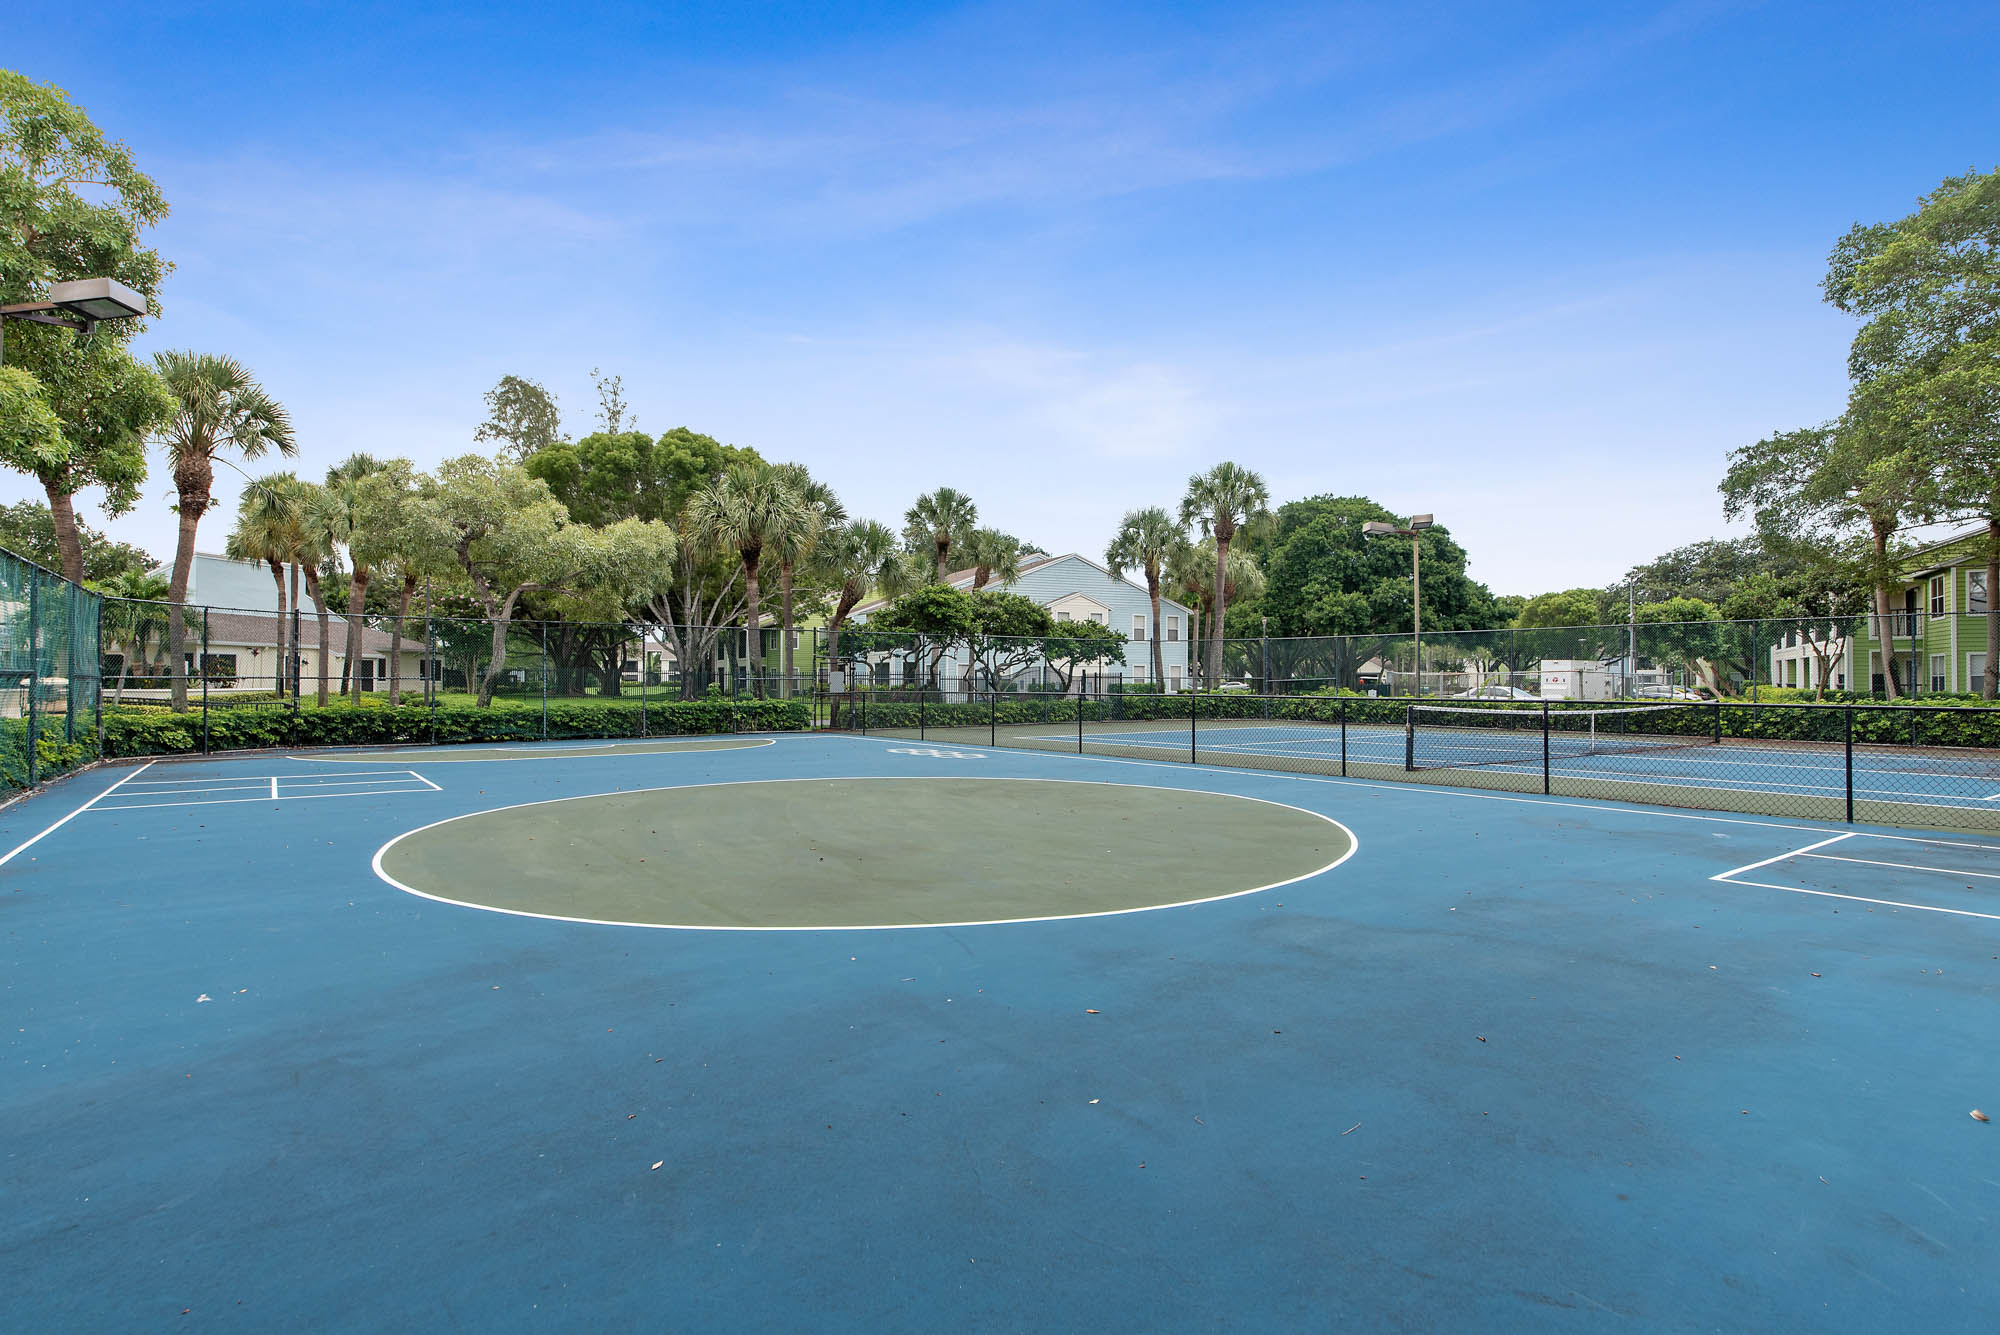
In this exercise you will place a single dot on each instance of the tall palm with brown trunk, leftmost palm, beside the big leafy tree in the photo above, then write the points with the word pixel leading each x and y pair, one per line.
pixel 217 407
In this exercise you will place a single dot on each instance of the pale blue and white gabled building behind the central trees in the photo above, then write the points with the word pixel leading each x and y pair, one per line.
pixel 1075 589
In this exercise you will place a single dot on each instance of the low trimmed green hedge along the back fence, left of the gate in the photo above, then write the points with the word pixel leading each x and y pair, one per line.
pixel 149 732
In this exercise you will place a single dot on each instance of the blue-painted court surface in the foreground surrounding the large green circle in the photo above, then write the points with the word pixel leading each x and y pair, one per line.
pixel 1513 1064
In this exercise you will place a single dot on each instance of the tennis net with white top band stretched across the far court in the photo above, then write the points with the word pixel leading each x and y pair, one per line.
pixel 1469 736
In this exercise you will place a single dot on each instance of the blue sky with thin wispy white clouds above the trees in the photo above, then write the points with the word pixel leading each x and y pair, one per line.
pixel 1535 269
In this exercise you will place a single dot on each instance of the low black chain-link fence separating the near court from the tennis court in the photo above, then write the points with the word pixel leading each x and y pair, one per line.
pixel 1849 762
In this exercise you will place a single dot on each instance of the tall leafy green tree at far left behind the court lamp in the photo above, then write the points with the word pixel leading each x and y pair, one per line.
pixel 75 205
